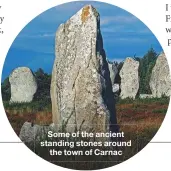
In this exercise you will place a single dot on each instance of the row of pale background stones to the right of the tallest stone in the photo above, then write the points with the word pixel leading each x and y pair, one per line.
pixel 160 82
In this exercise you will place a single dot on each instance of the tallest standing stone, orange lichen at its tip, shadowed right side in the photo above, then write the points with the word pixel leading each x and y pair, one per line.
pixel 81 89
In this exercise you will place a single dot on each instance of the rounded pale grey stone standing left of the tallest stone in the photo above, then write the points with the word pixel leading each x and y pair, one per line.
pixel 23 85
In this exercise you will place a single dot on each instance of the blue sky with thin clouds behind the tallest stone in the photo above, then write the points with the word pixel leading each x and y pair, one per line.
pixel 123 35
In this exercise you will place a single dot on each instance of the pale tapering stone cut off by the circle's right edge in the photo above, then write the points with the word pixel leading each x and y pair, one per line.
pixel 160 82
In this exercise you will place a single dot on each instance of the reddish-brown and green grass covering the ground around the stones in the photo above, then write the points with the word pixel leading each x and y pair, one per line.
pixel 139 119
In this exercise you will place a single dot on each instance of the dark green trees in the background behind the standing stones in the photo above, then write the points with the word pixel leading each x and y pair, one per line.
pixel 146 64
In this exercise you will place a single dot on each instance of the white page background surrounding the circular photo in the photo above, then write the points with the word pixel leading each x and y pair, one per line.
pixel 16 156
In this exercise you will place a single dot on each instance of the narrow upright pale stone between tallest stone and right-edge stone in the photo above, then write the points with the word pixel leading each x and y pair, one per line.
pixel 129 78
